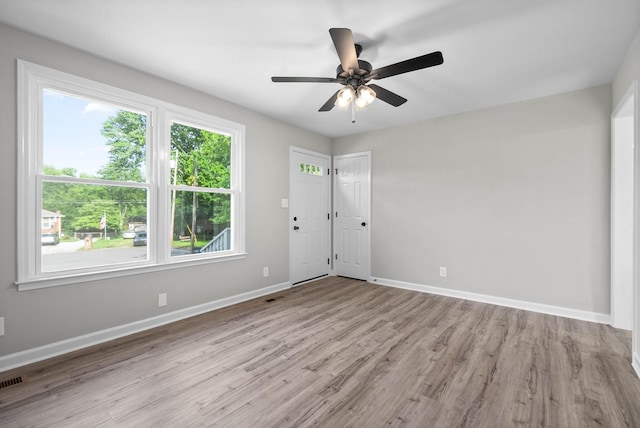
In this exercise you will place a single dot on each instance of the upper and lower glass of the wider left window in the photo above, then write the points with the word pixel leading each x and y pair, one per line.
pixel 85 139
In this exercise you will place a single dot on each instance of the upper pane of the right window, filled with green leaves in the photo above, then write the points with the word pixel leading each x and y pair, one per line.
pixel 204 157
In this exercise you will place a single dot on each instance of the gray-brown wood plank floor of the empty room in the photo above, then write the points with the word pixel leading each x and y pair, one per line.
pixel 341 353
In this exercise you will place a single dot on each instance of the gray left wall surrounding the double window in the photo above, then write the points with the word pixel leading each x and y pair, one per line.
pixel 39 317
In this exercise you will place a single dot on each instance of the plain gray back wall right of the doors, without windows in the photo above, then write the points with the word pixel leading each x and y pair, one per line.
pixel 513 200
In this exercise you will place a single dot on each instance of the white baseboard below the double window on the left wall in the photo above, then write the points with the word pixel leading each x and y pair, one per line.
pixel 40 353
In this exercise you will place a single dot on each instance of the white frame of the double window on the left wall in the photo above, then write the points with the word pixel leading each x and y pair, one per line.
pixel 32 80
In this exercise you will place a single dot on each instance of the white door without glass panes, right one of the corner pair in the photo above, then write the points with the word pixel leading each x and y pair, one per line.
pixel 352 206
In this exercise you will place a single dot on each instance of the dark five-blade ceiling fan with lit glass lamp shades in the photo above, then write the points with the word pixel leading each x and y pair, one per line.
pixel 355 74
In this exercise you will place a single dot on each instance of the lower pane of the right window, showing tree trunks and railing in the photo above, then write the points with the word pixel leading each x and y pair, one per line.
pixel 203 229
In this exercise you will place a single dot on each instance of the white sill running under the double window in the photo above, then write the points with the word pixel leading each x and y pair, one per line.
pixel 36 284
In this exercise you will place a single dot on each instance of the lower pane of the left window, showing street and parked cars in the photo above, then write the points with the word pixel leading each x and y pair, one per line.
pixel 86 225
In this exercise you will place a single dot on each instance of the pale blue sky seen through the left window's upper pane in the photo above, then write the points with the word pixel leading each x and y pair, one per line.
pixel 71 132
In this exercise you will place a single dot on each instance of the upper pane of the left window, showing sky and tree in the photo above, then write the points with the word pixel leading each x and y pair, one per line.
pixel 86 138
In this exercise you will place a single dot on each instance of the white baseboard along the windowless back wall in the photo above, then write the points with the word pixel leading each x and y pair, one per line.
pixel 500 301
